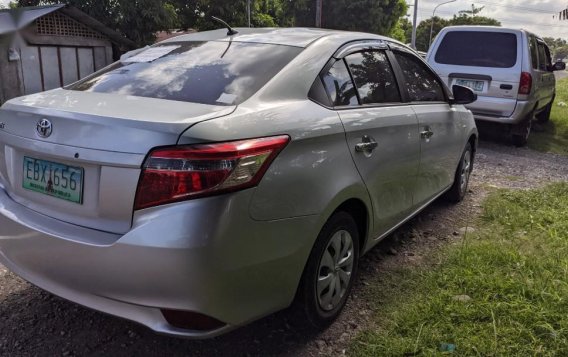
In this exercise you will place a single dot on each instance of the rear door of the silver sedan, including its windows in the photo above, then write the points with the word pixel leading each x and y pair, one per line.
pixel 381 131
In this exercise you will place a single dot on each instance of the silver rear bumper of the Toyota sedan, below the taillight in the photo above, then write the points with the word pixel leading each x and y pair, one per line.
pixel 195 256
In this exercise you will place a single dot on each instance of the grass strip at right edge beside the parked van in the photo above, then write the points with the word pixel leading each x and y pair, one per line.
pixel 553 136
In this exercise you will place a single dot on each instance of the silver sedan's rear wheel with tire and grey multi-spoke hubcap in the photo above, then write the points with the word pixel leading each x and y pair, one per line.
pixel 330 271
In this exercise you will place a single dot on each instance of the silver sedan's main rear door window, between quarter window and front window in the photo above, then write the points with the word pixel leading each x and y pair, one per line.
pixel 373 77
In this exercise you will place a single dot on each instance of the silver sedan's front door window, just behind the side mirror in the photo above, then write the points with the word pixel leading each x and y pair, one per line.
pixel 422 84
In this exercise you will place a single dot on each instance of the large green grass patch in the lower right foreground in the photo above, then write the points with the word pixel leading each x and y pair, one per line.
pixel 502 291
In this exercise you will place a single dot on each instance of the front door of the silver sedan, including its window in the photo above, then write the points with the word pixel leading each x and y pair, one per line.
pixel 440 127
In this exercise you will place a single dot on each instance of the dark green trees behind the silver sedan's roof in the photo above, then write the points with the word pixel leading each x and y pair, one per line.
pixel 139 20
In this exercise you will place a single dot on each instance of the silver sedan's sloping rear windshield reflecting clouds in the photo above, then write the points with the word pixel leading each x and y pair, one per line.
pixel 217 73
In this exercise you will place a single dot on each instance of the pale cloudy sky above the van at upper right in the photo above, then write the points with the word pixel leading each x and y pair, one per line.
pixel 533 15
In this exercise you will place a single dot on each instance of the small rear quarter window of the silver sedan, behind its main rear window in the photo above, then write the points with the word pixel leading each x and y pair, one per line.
pixel 339 86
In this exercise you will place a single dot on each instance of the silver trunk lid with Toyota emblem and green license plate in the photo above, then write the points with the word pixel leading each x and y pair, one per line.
pixel 86 171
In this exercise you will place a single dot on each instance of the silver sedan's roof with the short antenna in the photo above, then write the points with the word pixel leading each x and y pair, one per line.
pixel 291 36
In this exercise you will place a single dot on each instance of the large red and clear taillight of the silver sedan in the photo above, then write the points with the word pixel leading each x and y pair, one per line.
pixel 180 173
